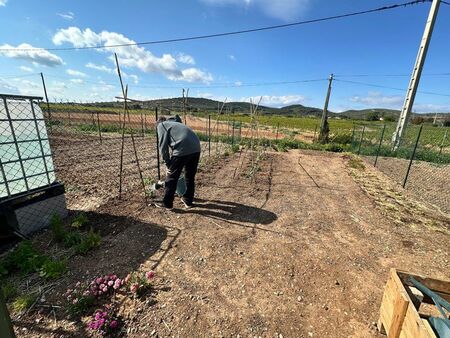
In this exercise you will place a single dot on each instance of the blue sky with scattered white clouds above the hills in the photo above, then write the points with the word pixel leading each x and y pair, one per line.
pixel 374 44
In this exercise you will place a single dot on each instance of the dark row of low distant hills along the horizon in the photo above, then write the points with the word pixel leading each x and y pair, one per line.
pixel 202 105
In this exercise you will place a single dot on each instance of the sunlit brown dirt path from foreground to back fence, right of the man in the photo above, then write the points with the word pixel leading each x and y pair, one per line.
pixel 311 262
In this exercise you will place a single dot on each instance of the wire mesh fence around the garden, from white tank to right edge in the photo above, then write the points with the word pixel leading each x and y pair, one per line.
pixel 100 151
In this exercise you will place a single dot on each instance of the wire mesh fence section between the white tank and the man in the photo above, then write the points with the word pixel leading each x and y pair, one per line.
pixel 98 147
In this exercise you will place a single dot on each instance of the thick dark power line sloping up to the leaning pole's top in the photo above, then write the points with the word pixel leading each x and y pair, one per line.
pixel 208 36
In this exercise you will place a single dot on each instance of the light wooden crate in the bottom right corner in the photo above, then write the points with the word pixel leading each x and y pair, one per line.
pixel 399 312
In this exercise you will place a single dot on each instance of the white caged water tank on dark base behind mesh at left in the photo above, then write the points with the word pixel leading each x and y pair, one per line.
pixel 29 193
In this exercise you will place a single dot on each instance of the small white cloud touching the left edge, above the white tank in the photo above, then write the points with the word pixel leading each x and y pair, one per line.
pixel 39 56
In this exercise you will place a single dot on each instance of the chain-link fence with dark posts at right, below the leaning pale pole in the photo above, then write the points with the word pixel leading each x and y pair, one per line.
pixel 421 163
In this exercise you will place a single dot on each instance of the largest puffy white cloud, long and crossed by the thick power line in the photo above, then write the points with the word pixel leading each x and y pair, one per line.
pixel 131 56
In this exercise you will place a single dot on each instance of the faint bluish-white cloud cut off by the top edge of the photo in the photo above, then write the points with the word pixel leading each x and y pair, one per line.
pixel 285 10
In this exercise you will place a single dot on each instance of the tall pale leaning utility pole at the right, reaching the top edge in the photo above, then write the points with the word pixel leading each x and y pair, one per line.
pixel 415 76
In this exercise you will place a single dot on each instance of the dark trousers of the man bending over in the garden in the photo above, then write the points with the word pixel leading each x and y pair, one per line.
pixel 177 163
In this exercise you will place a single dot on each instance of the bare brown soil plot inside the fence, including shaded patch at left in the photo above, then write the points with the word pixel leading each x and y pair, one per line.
pixel 302 250
